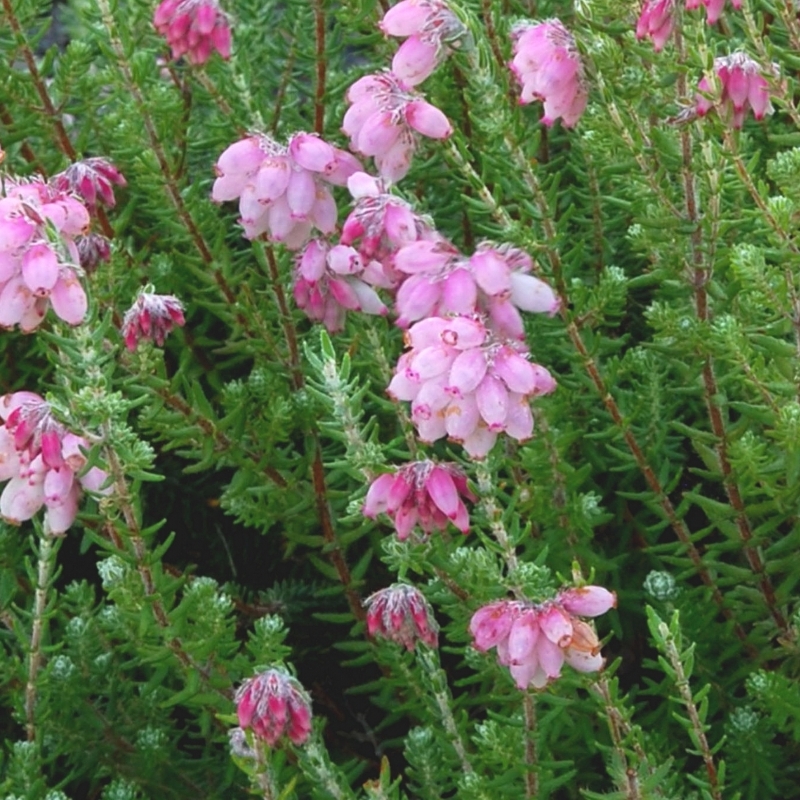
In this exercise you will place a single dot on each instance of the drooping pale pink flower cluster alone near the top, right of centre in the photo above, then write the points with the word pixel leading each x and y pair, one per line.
pixel 548 67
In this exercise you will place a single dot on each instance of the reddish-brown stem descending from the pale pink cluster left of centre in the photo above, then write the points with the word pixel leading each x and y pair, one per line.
pixel 334 550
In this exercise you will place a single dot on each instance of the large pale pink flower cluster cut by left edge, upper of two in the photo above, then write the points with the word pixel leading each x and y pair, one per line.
pixel 39 260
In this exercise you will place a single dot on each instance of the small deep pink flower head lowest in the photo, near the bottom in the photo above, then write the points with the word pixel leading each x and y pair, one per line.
pixel 274 704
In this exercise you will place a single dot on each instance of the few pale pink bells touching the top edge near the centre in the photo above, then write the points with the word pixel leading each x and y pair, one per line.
pixel 429 25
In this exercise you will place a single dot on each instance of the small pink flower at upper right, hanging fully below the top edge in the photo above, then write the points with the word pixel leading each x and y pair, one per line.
pixel 742 86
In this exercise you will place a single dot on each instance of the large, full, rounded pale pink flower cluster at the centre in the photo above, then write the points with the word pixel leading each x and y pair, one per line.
pixel 466 382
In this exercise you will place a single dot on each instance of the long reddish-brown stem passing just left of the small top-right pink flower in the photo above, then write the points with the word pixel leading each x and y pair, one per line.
pixel 701 271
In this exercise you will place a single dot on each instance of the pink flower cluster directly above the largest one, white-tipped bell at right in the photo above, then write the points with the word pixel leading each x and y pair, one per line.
pixel 493 281
